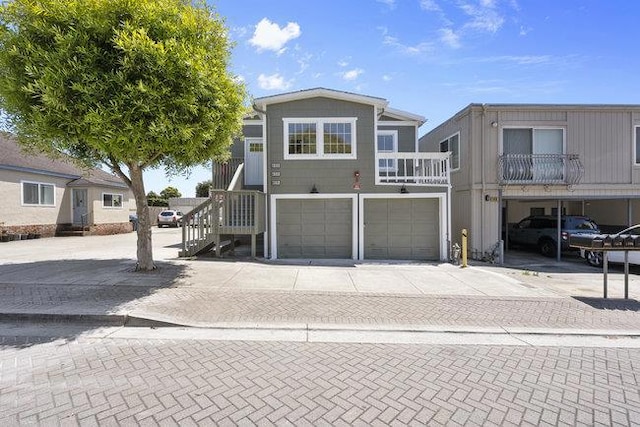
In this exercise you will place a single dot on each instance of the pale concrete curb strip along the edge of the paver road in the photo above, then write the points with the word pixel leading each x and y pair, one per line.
pixel 127 326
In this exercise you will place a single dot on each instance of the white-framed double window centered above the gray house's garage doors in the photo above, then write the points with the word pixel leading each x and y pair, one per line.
pixel 332 138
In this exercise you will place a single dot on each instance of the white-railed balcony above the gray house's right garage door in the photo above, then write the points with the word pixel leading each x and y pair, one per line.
pixel 412 168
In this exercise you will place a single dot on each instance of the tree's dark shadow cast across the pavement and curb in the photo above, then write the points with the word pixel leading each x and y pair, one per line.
pixel 50 300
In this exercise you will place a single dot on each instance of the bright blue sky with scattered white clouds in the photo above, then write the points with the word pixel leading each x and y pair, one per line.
pixel 433 57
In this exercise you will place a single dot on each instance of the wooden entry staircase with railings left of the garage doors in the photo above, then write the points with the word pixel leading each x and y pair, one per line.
pixel 224 215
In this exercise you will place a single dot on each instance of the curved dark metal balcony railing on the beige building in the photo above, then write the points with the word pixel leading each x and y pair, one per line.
pixel 540 169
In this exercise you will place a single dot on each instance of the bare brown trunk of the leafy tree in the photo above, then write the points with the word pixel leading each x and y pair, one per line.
pixel 145 248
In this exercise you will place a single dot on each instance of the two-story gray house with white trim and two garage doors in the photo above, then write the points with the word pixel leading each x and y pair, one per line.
pixel 338 175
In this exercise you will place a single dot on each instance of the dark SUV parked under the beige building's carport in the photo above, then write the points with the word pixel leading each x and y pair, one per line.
pixel 541 231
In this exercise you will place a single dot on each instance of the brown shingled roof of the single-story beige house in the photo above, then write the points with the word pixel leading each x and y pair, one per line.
pixel 15 158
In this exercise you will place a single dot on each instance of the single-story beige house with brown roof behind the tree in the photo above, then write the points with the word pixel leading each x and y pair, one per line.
pixel 44 196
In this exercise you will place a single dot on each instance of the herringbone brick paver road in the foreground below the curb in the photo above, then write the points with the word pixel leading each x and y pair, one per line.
pixel 150 382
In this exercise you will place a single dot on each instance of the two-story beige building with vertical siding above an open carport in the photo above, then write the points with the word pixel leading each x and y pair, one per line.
pixel 510 161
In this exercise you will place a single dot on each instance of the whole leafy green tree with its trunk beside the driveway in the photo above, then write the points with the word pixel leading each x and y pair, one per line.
pixel 132 84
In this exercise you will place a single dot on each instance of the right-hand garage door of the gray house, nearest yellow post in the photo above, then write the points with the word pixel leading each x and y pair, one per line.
pixel 401 229
